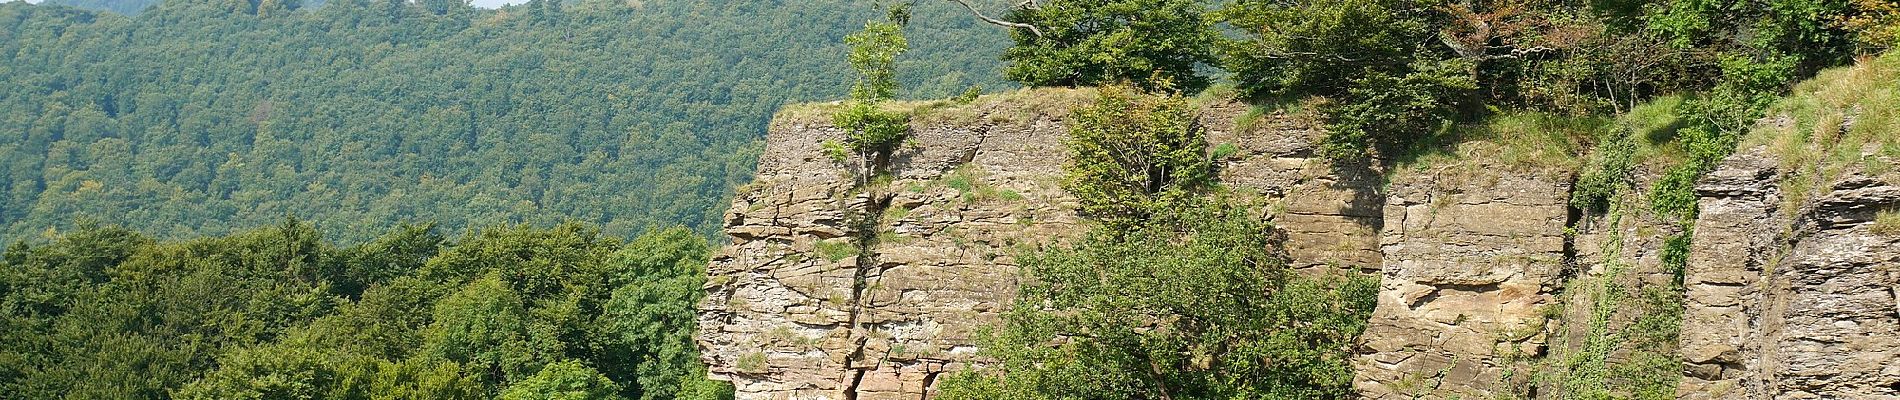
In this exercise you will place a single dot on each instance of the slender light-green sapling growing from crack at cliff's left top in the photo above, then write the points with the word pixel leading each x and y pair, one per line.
pixel 871 132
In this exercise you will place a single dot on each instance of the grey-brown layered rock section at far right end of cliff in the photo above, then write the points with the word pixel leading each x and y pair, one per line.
pixel 1791 302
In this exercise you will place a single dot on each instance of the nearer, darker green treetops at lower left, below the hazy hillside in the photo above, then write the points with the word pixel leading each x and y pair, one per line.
pixel 512 312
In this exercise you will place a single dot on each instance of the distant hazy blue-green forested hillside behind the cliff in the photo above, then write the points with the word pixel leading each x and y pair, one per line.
pixel 206 117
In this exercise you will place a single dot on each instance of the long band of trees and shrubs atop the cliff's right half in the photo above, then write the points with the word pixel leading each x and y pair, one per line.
pixel 1399 71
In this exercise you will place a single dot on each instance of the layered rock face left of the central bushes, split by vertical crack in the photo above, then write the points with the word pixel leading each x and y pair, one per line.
pixel 843 291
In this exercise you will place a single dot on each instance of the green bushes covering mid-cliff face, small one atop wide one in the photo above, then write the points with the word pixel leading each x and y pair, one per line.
pixel 1181 291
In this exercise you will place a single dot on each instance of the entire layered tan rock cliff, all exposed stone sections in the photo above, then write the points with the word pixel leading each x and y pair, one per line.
pixel 1494 285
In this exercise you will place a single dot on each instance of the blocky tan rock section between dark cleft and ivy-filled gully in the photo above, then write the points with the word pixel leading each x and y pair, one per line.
pixel 1470 259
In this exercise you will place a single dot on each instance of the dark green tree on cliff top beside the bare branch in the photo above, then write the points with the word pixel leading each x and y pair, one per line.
pixel 1154 45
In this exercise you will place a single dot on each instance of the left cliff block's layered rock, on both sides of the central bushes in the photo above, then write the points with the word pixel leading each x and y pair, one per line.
pixel 786 321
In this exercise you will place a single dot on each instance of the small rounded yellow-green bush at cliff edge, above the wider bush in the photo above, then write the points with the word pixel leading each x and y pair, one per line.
pixel 1133 155
